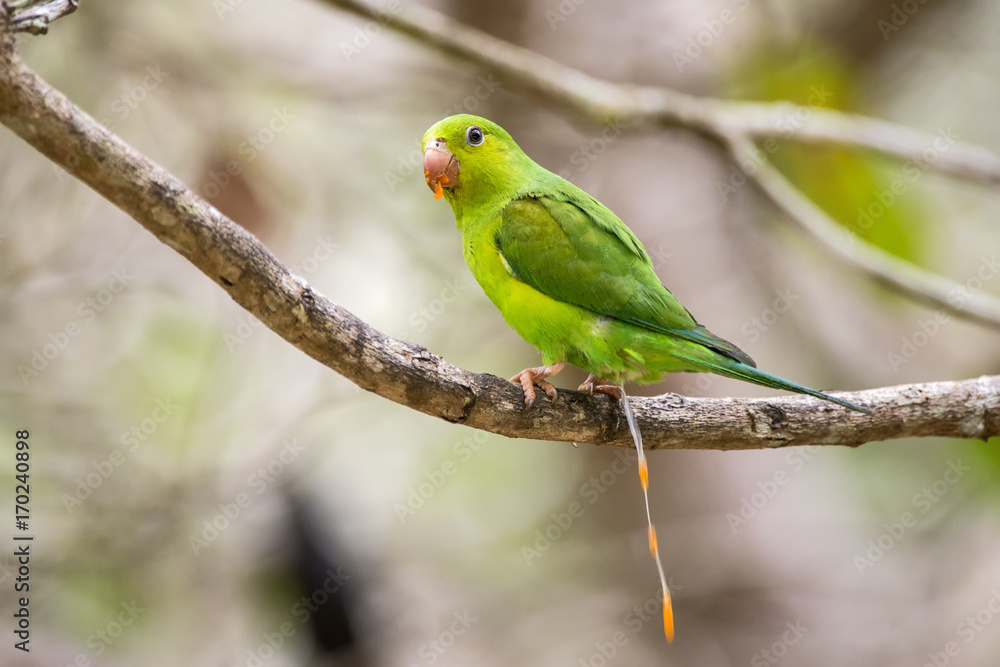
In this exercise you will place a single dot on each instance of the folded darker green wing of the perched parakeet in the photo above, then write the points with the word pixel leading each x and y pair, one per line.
pixel 571 248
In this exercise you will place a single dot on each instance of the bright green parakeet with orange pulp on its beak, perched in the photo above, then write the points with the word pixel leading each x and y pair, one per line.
pixel 566 273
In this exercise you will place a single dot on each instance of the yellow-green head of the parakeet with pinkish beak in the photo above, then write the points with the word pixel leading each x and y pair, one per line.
pixel 470 161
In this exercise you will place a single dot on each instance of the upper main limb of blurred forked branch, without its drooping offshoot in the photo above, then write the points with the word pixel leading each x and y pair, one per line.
pixel 603 101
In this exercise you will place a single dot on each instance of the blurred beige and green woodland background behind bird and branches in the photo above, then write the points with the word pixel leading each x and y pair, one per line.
pixel 205 494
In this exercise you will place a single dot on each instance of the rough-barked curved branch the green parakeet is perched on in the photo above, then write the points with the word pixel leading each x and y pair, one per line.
pixel 410 375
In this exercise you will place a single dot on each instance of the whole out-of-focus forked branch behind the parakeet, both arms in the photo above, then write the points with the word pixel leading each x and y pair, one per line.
pixel 733 125
